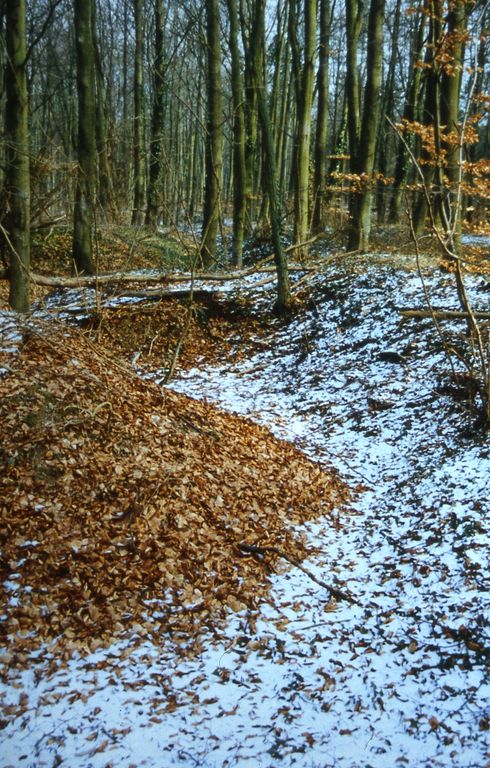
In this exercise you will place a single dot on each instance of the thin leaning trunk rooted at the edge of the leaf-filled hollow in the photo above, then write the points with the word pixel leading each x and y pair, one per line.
pixel 257 49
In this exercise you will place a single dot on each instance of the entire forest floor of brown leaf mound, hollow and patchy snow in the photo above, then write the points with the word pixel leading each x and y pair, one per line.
pixel 138 628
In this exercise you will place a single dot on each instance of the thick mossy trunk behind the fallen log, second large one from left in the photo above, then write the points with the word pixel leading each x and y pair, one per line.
pixel 83 220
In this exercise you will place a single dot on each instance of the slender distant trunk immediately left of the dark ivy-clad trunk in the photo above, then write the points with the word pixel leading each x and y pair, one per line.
pixel 138 214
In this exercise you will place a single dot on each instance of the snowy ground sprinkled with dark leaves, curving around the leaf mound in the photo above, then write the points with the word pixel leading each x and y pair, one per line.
pixel 402 678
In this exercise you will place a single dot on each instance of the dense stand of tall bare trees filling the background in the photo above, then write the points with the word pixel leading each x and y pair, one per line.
pixel 244 116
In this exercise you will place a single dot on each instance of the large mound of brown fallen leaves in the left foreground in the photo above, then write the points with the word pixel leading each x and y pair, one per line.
pixel 122 504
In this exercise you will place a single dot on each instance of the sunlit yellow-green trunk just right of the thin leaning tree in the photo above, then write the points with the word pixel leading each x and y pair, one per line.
pixel 305 103
